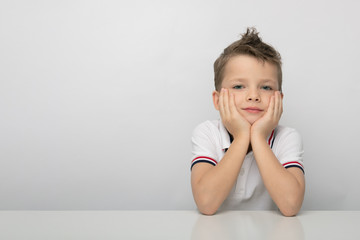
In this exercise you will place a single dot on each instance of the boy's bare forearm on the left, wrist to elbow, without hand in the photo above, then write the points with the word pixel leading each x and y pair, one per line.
pixel 214 187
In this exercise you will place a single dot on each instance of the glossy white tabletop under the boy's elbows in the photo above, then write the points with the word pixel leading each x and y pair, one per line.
pixel 182 225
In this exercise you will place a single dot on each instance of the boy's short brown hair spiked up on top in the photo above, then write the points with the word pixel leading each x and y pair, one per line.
pixel 250 44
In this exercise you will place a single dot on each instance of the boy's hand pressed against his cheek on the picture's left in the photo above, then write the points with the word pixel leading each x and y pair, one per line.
pixel 234 122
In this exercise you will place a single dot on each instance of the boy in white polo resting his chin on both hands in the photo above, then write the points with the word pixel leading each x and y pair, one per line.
pixel 245 161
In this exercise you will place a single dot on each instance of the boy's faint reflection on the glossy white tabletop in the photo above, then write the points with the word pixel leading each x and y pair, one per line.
pixel 247 225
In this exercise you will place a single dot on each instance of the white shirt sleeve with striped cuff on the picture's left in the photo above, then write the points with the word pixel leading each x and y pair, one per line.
pixel 203 145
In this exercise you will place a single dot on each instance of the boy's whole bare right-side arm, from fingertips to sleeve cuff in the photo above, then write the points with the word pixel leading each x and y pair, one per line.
pixel 285 186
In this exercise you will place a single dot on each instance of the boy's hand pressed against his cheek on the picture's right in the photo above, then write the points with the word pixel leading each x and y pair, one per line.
pixel 264 125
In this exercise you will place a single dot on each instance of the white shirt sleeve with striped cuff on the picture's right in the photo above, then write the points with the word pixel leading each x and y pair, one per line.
pixel 291 151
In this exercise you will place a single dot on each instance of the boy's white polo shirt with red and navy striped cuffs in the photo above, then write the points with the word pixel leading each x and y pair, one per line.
pixel 210 141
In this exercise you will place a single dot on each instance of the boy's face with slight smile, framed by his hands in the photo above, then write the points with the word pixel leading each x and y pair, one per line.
pixel 252 82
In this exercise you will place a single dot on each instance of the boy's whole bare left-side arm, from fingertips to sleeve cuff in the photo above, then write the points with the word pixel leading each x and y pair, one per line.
pixel 212 184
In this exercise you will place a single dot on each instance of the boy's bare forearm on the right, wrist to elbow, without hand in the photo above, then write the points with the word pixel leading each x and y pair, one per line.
pixel 284 188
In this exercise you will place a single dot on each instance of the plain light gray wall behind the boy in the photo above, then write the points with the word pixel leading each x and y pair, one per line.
pixel 98 99
